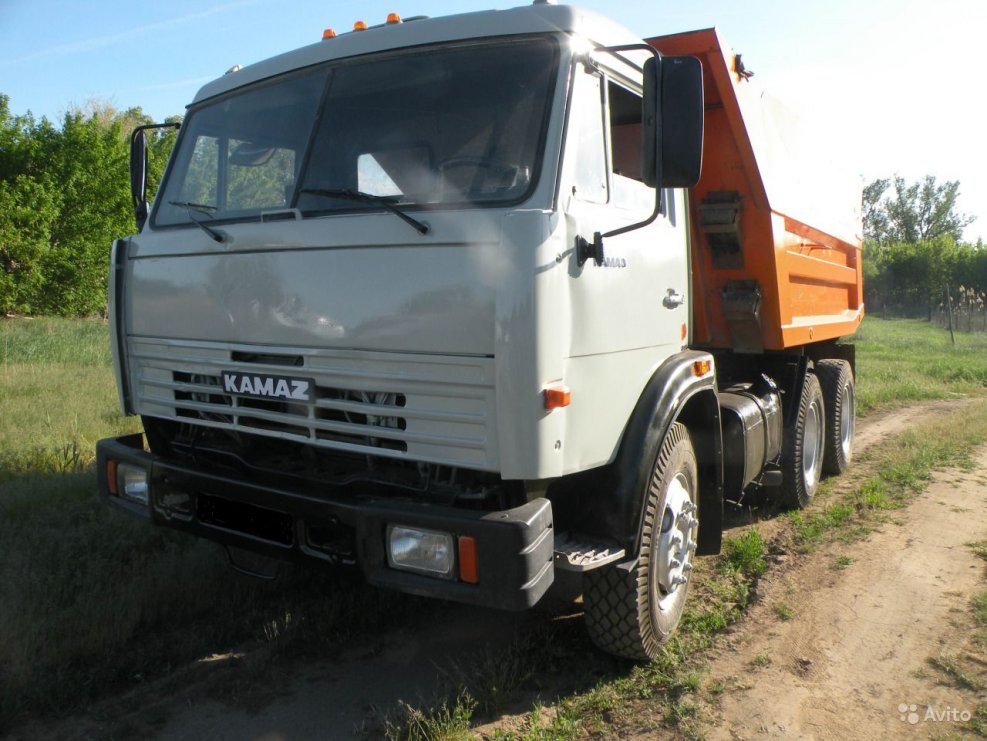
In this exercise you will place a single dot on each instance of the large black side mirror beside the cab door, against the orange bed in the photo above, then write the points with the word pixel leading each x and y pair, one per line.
pixel 681 127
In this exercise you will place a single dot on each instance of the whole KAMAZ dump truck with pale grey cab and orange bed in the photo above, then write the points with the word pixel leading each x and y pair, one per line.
pixel 467 301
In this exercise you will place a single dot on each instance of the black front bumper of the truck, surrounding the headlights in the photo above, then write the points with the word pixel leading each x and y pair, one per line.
pixel 514 547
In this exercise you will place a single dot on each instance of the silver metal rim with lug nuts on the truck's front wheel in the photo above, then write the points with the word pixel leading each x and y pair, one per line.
pixel 676 541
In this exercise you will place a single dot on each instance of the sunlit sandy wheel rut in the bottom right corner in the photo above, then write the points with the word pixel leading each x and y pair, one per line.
pixel 853 660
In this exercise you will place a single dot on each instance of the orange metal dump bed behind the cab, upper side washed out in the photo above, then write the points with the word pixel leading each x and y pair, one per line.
pixel 776 227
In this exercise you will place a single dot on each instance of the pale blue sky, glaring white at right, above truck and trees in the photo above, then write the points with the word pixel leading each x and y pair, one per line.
pixel 893 86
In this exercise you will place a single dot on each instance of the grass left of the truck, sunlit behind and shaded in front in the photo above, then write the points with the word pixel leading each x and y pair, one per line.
pixel 92 601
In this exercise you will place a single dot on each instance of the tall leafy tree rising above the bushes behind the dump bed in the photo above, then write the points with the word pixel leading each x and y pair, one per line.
pixel 913 212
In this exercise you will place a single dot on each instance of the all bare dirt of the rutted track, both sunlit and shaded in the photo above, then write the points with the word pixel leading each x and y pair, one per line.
pixel 855 649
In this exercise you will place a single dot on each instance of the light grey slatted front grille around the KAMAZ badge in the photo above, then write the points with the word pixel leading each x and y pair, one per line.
pixel 427 408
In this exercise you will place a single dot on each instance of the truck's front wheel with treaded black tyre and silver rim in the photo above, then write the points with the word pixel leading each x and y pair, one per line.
pixel 631 612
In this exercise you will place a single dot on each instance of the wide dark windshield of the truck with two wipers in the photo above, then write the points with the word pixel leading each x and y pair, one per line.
pixel 452 127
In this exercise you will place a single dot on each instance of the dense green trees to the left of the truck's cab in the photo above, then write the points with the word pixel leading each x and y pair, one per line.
pixel 64 197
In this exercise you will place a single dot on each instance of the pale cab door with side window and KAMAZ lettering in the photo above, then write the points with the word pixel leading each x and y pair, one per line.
pixel 638 297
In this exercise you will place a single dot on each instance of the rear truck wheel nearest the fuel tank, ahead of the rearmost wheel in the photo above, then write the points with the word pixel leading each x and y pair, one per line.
pixel 802 449
